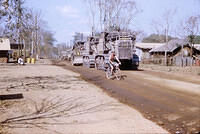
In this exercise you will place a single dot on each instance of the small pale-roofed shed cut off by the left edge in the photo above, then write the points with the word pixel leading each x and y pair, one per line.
pixel 4 49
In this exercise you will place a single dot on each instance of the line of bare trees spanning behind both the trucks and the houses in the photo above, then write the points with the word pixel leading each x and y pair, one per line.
pixel 120 14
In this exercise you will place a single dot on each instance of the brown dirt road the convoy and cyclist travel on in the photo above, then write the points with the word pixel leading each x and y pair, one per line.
pixel 172 101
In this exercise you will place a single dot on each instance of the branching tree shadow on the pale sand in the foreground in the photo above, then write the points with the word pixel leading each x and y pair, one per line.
pixel 50 110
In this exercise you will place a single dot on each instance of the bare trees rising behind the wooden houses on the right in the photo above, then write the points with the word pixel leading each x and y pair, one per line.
pixel 189 29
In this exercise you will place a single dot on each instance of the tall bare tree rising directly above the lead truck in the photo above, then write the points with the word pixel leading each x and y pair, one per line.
pixel 112 13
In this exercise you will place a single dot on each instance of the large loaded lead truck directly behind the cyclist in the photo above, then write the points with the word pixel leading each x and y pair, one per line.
pixel 122 43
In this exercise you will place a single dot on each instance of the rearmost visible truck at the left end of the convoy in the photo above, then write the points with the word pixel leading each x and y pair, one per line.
pixel 77 53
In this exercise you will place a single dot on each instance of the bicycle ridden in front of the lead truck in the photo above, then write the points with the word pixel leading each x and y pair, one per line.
pixel 116 72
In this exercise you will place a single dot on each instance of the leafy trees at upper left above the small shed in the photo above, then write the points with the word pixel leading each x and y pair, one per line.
pixel 23 25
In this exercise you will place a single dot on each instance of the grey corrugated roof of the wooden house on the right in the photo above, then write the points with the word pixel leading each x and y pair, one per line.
pixel 171 46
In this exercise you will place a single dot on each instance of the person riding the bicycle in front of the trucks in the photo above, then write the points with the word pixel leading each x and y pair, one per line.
pixel 114 61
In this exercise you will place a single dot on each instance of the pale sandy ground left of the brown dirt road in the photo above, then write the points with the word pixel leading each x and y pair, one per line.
pixel 58 101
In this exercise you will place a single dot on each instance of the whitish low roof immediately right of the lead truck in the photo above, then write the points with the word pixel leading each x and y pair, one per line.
pixel 148 45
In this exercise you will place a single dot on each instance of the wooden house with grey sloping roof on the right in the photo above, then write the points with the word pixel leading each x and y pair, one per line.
pixel 175 52
